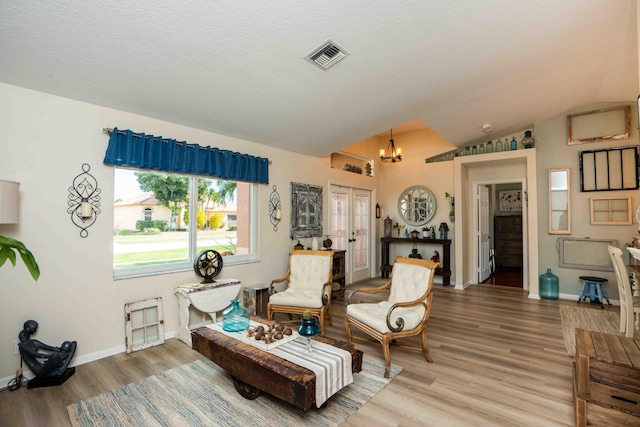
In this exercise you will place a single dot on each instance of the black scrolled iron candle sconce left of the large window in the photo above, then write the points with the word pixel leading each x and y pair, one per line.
pixel 84 200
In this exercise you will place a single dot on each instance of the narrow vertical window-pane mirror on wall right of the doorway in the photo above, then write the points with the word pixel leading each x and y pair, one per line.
pixel 559 201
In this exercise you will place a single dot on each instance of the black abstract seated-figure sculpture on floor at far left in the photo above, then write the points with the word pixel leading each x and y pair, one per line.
pixel 49 364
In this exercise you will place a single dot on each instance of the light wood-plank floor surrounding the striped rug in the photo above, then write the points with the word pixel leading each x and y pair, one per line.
pixel 499 360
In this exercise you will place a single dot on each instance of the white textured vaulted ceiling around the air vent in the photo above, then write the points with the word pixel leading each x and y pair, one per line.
pixel 237 68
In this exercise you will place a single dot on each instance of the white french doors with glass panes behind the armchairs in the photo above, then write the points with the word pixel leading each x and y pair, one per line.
pixel 350 225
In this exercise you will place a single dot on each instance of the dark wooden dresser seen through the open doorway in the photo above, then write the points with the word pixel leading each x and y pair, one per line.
pixel 508 240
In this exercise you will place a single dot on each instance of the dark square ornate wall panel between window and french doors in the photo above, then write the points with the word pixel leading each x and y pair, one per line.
pixel 306 211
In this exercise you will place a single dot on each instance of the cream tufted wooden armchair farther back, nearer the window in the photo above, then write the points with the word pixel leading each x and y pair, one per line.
pixel 309 286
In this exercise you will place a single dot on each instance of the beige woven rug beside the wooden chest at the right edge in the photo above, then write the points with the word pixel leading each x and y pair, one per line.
pixel 592 319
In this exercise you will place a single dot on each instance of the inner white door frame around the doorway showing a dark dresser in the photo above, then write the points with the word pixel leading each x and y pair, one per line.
pixel 525 246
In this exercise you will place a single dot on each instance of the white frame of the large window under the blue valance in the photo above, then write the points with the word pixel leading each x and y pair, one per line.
pixel 177 267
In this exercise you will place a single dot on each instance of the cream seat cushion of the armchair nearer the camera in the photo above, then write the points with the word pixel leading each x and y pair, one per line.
pixel 375 315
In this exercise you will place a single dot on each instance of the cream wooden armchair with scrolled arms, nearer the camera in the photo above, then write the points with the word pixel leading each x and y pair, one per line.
pixel 404 313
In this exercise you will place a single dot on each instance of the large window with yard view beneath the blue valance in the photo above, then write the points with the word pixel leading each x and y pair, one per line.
pixel 154 228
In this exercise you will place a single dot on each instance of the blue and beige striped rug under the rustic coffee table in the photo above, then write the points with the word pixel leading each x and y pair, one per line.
pixel 202 394
